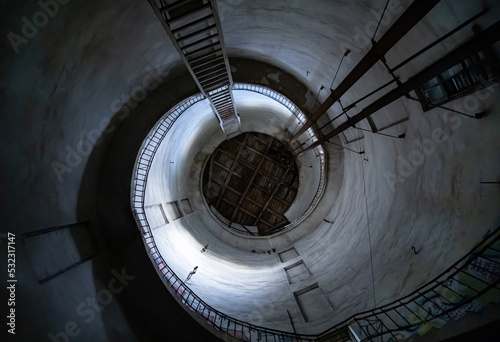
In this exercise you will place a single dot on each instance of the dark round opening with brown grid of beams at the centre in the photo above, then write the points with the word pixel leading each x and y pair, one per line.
pixel 252 180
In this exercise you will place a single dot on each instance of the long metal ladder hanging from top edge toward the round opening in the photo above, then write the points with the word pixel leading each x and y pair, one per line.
pixel 195 30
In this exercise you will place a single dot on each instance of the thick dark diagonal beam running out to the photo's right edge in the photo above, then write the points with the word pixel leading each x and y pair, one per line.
pixel 474 45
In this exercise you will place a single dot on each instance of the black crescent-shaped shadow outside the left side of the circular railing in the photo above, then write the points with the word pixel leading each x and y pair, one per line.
pixel 150 310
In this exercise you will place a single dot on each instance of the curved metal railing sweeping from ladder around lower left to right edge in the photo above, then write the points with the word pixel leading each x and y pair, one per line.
pixel 389 320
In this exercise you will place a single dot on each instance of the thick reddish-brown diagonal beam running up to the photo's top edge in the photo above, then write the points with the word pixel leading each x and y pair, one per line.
pixel 415 12
